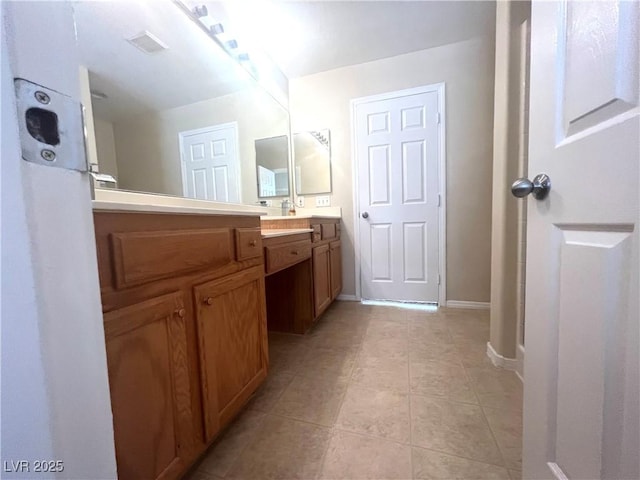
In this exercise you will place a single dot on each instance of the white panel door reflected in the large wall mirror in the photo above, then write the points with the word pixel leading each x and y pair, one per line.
pixel 210 167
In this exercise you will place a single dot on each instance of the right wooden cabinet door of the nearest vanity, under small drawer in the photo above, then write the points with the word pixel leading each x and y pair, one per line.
pixel 232 335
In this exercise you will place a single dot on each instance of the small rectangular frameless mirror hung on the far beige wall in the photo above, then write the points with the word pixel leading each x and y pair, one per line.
pixel 312 162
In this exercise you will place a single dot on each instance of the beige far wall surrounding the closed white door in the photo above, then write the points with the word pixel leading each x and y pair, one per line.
pixel 467 68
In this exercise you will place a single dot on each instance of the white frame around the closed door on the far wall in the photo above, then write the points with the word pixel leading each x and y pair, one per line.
pixel 439 88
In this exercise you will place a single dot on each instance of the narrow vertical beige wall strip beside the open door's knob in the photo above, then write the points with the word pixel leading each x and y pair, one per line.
pixel 506 254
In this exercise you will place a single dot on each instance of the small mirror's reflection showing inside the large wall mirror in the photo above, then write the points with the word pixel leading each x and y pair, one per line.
pixel 272 161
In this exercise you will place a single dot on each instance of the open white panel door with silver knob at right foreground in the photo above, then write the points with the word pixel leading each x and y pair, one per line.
pixel 581 407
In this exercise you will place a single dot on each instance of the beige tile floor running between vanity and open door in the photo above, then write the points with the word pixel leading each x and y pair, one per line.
pixel 377 393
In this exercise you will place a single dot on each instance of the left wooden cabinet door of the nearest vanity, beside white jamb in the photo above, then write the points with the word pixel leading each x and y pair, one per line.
pixel 149 382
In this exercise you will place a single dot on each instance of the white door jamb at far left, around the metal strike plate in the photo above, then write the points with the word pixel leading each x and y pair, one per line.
pixel 55 392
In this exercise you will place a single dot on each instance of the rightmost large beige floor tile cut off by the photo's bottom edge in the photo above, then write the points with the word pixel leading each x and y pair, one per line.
pixel 428 464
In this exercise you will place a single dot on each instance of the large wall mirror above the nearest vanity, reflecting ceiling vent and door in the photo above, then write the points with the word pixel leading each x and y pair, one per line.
pixel 173 113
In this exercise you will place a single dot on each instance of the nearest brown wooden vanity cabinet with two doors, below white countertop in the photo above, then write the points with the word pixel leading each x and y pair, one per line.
pixel 183 299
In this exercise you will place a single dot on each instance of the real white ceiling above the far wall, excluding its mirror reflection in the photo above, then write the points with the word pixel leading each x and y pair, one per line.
pixel 306 37
